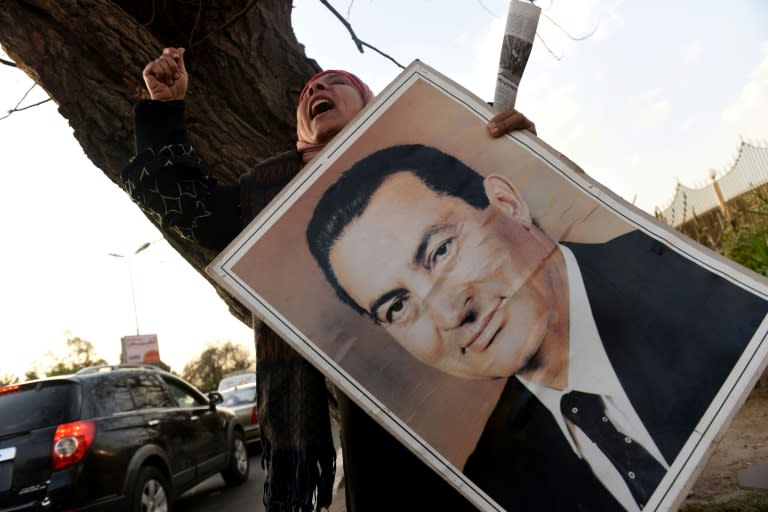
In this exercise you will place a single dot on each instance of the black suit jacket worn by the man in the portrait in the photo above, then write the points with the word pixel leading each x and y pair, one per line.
pixel 672 331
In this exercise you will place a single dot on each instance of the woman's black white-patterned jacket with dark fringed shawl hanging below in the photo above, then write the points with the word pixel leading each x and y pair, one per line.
pixel 172 185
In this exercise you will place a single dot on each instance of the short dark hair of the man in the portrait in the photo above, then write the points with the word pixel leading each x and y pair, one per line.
pixel 348 198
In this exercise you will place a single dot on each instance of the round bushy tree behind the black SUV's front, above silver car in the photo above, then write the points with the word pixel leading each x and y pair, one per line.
pixel 206 371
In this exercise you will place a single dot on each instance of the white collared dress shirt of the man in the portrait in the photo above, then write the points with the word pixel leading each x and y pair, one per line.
pixel 589 370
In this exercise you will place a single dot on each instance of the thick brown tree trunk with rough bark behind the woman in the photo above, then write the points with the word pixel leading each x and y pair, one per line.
pixel 245 65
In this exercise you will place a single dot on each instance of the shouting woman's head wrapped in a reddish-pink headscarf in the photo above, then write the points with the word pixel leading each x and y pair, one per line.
pixel 328 104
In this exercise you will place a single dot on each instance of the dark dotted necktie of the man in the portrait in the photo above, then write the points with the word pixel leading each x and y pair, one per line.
pixel 640 470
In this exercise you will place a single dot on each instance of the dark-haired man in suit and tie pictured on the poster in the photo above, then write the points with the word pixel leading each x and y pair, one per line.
pixel 455 269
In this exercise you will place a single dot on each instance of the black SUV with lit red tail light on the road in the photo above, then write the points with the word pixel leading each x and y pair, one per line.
pixel 116 437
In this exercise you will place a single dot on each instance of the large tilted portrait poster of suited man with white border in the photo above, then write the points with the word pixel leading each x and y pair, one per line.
pixel 535 339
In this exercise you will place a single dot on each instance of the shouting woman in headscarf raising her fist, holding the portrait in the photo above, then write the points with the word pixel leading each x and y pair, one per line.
pixel 292 396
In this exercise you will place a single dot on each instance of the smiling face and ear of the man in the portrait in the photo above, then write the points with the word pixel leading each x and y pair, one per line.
pixel 463 290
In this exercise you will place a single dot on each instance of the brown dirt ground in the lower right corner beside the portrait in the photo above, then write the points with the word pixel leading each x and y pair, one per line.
pixel 745 443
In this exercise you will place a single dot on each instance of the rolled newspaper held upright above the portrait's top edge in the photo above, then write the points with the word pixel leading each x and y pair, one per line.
pixel 522 20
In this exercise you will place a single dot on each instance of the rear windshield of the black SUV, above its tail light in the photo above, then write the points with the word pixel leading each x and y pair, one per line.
pixel 29 407
